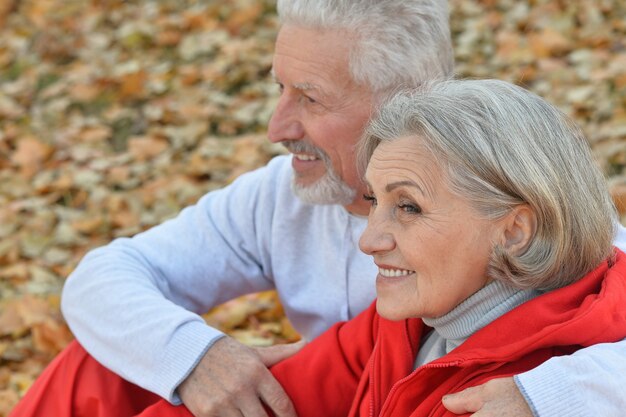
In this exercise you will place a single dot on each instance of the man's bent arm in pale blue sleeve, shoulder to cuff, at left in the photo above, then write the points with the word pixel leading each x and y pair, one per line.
pixel 133 304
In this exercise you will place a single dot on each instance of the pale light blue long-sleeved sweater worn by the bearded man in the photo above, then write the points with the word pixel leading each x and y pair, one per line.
pixel 134 303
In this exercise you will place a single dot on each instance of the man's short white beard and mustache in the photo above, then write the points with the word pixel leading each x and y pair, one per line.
pixel 329 189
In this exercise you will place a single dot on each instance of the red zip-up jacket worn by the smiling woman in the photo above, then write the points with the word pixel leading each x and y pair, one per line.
pixel 364 367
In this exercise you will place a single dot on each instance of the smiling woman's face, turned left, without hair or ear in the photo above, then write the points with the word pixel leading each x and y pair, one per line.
pixel 432 249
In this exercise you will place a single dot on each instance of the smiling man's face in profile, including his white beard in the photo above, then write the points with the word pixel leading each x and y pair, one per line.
pixel 320 115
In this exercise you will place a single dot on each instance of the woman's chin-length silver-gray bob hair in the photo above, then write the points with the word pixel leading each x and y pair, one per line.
pixel 502 146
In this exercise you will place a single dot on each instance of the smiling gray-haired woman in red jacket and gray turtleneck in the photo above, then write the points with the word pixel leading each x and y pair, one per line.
pixel 491 228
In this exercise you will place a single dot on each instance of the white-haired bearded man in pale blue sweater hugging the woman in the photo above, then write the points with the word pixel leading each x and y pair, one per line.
pixel 294 226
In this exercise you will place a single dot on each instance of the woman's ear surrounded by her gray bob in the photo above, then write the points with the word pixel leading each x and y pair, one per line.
pixel 518 229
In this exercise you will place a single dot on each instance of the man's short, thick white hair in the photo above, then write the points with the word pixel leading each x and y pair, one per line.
pixel 398 43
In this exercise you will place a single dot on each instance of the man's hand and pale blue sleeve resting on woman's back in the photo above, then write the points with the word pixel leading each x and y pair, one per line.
pixel 591 382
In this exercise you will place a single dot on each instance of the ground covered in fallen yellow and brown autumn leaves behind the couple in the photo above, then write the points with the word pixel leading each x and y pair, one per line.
pixel 115 114
